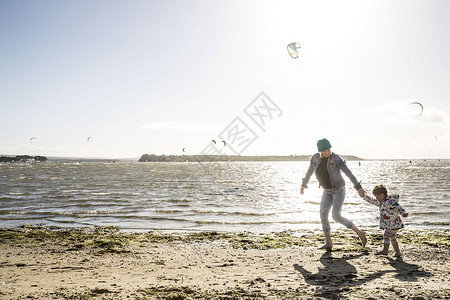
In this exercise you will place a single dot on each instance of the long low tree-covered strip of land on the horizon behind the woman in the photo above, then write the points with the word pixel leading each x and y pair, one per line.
pixel 208 158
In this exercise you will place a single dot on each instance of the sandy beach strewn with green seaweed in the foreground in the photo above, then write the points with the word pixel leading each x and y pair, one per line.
pixel 103 263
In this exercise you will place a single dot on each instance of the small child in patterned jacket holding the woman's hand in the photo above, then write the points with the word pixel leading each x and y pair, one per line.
pixel 390 220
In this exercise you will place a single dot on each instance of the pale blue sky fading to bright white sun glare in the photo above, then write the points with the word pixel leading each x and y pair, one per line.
pixel 158 77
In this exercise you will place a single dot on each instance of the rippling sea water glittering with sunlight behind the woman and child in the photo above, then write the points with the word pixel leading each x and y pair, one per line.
pixel 259 197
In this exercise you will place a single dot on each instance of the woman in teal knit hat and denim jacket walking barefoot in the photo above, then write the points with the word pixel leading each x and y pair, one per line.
pixel 327 167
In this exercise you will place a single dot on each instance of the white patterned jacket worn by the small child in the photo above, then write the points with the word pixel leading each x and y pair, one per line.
pixel 390 211
